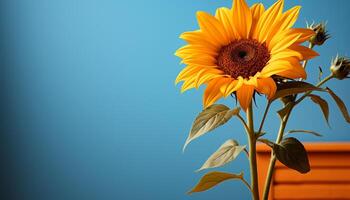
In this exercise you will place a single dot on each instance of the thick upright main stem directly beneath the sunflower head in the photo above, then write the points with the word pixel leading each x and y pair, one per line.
pixel 252 154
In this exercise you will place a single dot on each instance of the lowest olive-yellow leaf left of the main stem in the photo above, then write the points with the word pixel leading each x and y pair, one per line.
pixel 212 179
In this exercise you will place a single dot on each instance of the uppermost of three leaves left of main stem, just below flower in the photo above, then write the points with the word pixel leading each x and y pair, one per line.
pixel 209 119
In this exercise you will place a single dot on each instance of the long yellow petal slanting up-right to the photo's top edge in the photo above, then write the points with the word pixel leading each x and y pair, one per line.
pixel 267 20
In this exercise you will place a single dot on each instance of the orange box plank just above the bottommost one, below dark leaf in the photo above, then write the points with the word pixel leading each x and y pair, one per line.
pixel 319 175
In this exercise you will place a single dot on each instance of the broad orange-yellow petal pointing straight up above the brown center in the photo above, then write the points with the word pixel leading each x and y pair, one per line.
pixel 242 18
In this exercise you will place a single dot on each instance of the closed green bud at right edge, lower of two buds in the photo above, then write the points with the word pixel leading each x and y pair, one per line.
pixel 340 67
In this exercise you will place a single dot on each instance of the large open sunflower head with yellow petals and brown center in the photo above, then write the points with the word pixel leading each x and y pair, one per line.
pixel 240 50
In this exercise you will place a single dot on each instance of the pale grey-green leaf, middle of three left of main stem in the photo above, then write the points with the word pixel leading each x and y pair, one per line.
pixel 225 154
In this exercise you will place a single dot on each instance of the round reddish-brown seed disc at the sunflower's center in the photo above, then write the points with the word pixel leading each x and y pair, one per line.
pixel 243 58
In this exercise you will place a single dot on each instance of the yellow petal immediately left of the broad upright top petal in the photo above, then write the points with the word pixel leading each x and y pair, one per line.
pixel 224 15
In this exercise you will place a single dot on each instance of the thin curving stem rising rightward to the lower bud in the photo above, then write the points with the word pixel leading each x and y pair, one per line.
pixel 280 136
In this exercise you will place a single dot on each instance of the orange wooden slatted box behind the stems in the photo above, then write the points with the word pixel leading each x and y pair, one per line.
pixel 329 177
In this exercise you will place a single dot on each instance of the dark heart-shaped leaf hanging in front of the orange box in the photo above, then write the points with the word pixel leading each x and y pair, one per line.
pixel 292 153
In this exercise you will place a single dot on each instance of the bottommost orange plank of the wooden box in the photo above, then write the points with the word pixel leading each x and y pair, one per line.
pixel 312 191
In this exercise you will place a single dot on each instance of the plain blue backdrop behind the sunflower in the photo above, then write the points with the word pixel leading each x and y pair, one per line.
pixel 89 107
